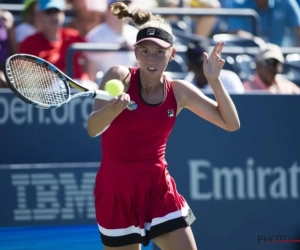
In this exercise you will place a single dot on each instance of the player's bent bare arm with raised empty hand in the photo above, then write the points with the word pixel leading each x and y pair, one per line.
pixel 221 112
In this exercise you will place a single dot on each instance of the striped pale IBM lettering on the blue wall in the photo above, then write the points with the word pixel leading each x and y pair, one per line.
pixel 60 196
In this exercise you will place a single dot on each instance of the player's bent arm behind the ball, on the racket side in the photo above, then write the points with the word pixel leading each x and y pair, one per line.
pixel 104 112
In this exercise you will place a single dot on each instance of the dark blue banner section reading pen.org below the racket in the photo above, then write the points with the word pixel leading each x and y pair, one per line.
pixel 31 135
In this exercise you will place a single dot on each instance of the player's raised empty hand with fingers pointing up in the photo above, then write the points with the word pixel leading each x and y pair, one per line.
pixel 213 63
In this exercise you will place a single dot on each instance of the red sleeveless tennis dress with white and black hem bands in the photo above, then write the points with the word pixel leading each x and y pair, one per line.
pixel 135 197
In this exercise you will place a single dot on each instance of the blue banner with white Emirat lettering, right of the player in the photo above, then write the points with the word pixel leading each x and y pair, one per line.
pixel 244 187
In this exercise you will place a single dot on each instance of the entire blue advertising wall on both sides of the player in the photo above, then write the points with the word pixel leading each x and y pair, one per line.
pixel 243 187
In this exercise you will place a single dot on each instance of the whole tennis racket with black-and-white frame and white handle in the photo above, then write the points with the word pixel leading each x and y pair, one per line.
pixel 41 84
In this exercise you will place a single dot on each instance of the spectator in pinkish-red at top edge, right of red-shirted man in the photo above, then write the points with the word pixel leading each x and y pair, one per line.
pixel 85 18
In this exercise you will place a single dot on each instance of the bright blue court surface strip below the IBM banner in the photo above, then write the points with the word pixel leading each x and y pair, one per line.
pixel 56 237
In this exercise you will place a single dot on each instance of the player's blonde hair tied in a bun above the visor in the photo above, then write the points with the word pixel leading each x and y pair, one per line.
pixel 141 19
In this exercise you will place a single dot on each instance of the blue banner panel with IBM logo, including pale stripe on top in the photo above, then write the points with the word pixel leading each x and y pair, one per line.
pixel 47 194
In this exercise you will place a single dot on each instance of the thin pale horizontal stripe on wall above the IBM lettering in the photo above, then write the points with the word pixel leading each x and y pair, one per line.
pixel 50 165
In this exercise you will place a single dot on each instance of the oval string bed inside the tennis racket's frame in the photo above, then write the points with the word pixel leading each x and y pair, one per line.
pixel 37 82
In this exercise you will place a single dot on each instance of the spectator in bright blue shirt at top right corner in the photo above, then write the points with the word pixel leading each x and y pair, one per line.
pixel 275 17
